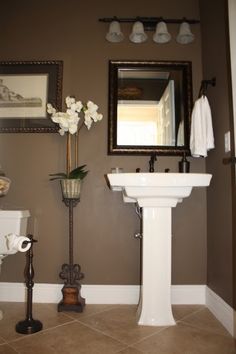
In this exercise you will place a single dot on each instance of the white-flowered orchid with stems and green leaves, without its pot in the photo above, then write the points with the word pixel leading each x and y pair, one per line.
pixel 70 122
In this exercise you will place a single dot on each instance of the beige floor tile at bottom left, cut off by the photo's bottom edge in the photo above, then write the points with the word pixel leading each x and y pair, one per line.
pixel 72 338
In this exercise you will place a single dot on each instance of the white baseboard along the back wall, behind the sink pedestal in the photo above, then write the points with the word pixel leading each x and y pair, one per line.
pixel 100 294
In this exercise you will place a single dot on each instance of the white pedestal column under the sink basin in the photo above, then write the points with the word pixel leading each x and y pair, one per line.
pixel 155 300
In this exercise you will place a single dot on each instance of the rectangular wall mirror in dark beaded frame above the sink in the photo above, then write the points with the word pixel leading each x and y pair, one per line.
pixel 150 106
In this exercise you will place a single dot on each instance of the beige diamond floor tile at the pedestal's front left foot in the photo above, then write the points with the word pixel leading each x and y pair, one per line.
pixel 120 323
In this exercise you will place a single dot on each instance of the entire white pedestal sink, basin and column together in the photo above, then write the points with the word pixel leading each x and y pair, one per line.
pixel 156 194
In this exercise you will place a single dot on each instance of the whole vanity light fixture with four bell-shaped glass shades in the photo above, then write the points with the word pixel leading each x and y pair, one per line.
pixel 156 24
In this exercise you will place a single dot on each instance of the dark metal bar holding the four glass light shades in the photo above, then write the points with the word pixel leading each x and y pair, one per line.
pixel 148 22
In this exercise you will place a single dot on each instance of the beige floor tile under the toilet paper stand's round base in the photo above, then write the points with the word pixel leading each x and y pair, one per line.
pixel 15 312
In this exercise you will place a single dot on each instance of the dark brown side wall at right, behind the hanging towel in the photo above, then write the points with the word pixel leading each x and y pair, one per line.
pixel 219 195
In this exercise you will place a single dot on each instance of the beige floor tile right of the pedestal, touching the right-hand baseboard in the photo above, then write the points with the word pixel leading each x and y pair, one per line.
pixel 205 320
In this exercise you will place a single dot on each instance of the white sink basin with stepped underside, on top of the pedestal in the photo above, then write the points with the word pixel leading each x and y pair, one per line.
pixel 157 188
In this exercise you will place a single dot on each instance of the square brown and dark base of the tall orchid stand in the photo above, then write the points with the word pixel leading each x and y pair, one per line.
pixel 72 301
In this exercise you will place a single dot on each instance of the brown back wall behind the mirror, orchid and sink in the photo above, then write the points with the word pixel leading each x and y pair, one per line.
pixel 104 225
